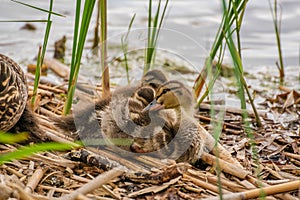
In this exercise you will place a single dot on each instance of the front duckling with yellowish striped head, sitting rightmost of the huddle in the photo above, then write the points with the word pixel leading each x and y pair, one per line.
pixel 180 138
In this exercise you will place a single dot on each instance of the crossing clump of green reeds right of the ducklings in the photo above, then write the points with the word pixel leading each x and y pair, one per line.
pixel 233 15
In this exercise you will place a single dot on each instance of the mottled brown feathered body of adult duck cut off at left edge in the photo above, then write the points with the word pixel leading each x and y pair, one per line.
pixel 15 113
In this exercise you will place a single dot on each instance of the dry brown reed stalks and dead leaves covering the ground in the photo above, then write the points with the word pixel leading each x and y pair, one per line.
pixel 274 169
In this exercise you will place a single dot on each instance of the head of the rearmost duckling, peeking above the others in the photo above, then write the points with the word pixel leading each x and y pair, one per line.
pixel 154 78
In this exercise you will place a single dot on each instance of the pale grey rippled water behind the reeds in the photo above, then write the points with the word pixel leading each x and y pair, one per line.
pixel 190 28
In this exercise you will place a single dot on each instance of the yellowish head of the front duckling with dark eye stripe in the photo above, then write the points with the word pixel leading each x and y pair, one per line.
pixel 172 95
